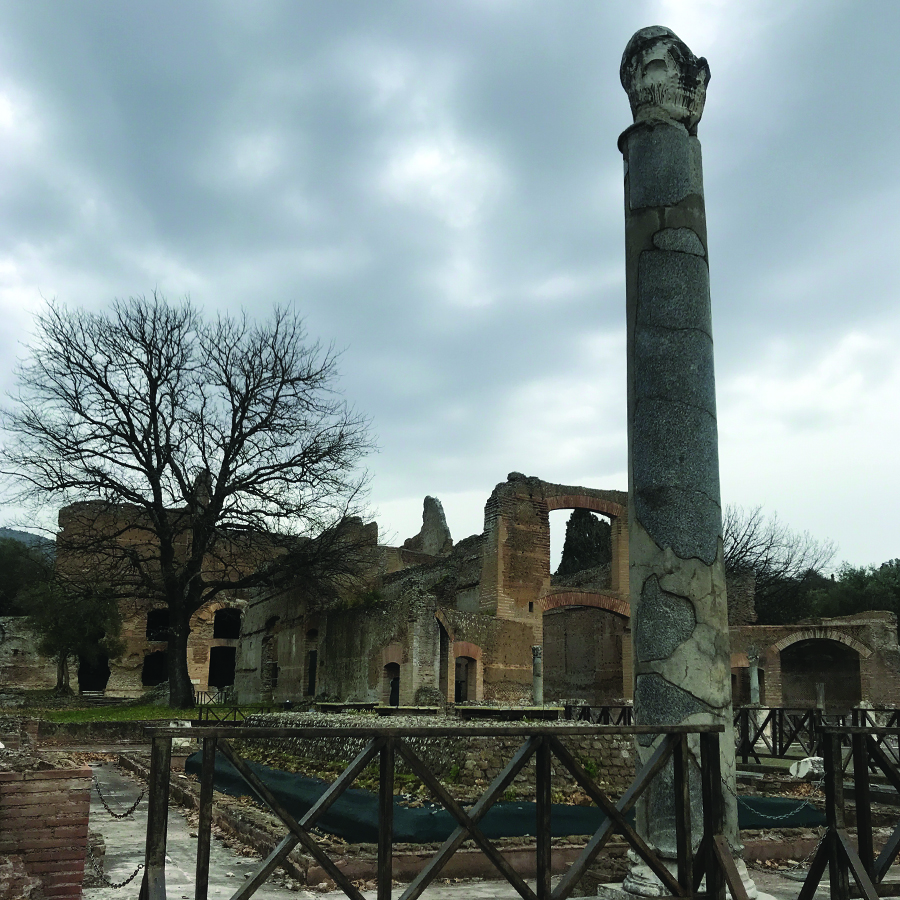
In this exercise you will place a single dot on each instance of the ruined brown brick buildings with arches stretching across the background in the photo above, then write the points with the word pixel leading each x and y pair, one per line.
pixel 435 621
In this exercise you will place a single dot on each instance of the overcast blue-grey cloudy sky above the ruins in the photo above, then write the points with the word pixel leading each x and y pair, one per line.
pixel 436 185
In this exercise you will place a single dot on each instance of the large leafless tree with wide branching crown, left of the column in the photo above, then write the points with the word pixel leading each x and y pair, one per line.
pixel 194 457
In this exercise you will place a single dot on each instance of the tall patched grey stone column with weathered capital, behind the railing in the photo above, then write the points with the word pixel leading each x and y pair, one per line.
pixel 682 658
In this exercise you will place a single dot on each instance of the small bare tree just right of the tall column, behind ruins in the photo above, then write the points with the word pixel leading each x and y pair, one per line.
pixel 782 561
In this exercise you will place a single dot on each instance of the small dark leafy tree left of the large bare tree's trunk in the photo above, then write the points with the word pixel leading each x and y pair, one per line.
pixel 67 622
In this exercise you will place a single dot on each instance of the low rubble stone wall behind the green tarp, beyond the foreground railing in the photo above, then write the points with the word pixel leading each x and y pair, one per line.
pixel 467 762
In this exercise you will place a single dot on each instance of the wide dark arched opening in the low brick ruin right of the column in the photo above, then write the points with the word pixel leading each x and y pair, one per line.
pixel 833 664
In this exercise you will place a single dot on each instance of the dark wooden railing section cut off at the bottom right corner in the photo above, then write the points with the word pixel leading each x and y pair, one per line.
pixel 836 850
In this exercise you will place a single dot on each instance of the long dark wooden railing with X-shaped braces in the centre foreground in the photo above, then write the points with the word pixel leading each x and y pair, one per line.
pixel 712 860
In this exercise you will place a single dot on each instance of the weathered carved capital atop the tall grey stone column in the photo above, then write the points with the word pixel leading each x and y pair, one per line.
pixel 663 79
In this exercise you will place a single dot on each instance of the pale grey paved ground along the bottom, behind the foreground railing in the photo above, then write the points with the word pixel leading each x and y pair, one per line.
pixel 125 850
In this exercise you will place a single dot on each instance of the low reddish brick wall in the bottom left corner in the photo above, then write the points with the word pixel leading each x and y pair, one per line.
pixel 44 822
